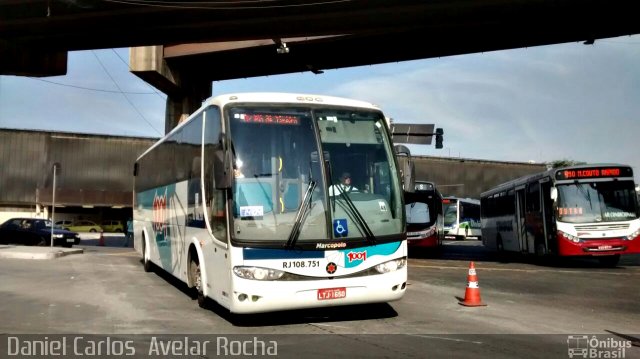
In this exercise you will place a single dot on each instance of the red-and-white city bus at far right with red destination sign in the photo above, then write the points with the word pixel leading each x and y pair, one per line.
pixel 585 210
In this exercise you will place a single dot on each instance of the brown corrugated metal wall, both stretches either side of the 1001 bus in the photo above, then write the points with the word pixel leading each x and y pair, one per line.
pixel 98 170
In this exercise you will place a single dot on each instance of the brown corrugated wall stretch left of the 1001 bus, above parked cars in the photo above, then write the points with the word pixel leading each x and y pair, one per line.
pixel 95 170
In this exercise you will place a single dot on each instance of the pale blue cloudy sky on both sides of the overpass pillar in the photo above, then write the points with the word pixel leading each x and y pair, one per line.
pixel 566 101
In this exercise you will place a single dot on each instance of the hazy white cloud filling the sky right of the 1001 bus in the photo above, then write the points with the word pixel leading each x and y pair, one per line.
pixel 563 101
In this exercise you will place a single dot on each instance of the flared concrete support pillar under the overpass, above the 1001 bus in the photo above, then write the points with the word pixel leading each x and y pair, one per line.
pixel 185 92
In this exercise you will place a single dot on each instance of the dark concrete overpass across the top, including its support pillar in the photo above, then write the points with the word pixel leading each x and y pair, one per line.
pixel 195 43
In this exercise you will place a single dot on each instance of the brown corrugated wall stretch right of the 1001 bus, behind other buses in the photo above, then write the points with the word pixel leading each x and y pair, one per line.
pixel 463 177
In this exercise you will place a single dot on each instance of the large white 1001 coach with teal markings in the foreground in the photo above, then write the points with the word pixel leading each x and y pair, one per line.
pixel 235 203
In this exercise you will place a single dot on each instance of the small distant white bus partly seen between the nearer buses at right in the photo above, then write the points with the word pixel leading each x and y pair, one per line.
pixel 461 218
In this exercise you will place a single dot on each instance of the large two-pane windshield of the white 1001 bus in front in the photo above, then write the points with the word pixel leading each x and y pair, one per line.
pixel 278 156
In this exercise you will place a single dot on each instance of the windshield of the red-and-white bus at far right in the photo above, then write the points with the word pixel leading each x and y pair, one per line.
pixel 597 202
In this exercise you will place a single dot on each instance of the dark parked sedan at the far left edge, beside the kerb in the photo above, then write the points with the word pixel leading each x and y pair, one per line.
pixel 35 231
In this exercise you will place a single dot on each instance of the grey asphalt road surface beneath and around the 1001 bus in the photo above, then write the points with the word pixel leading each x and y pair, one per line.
pixel 532 309
